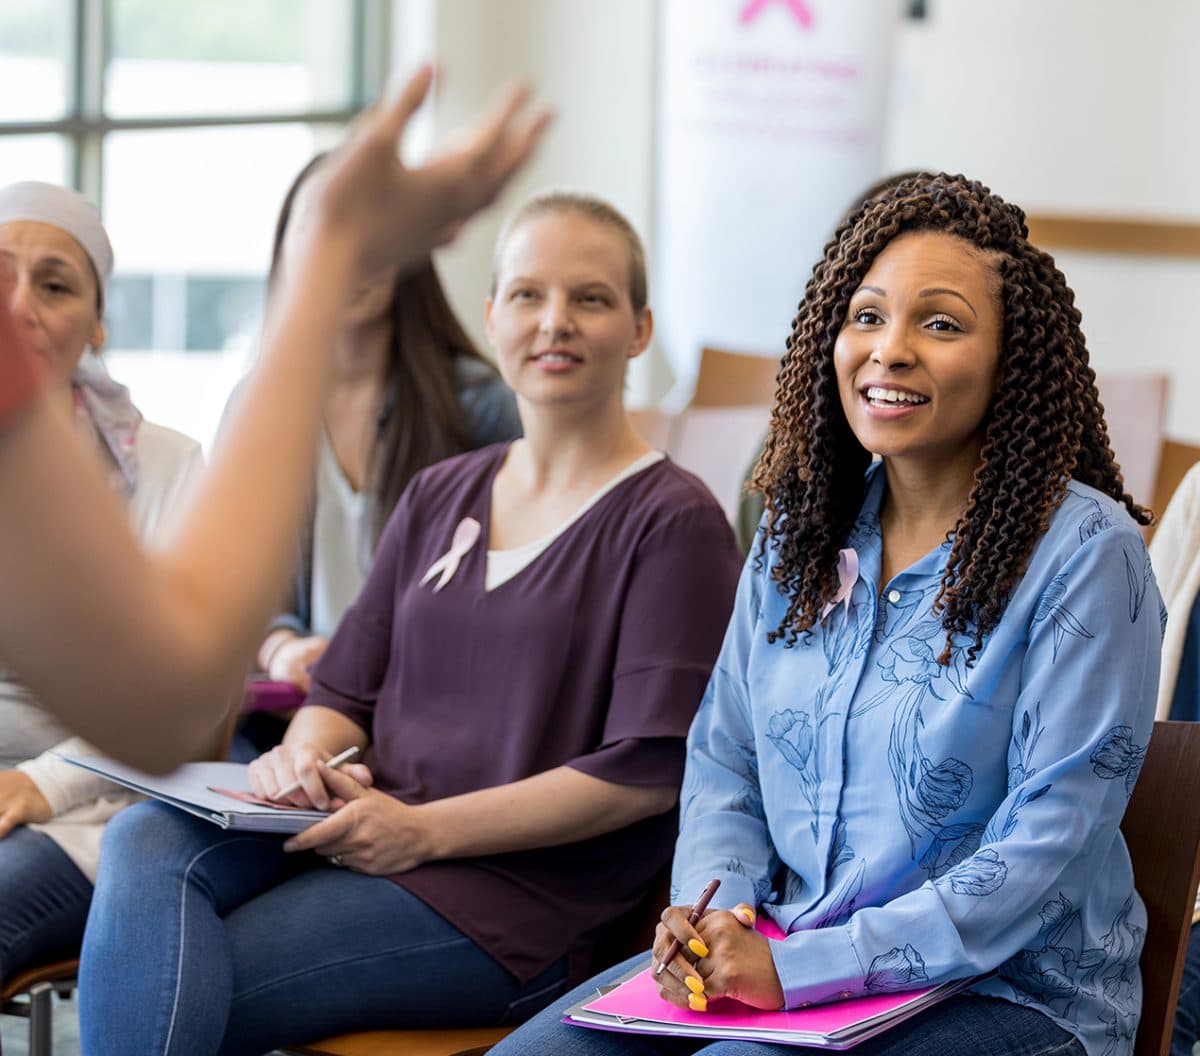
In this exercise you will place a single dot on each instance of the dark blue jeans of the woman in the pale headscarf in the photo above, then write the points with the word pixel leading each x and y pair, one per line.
pixel 44 902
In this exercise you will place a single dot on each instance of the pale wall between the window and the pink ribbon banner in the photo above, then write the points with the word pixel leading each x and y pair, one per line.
pixel 596 64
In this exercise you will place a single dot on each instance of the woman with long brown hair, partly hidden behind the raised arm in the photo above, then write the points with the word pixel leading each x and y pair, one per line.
pixel 410 389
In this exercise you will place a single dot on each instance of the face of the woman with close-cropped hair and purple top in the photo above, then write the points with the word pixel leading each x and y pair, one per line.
pixel 562 321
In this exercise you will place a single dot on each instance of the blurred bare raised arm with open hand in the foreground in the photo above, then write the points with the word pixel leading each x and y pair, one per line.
pixel 160 640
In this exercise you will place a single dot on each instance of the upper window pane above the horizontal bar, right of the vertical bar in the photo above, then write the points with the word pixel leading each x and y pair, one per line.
pixel 230 57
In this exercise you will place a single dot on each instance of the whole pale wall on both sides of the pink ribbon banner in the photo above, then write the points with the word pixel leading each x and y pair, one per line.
pixel 1063 106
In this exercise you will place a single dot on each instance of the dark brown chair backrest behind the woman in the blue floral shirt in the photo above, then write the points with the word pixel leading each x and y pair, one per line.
pixel 1162 830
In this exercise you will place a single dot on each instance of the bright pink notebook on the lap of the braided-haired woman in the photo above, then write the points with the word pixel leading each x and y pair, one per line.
pixel 635 1007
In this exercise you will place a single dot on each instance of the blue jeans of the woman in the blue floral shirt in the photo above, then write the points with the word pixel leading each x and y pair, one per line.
pixel 965 1024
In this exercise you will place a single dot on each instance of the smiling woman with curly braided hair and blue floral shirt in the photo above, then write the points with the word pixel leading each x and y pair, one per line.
pixel 937 691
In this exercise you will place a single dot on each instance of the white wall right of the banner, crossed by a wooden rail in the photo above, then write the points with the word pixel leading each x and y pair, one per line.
pixel 1073 107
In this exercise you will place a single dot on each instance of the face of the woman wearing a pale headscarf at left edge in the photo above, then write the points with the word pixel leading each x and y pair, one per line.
pixel 55 298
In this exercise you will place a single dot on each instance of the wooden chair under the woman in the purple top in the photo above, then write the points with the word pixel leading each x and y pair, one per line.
pixel 631 935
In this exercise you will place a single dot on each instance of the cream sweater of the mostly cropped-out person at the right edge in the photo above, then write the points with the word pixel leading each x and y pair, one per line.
pixel 1175 554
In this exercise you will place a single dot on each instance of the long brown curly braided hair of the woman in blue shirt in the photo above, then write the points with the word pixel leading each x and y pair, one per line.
pixel 1045 427
